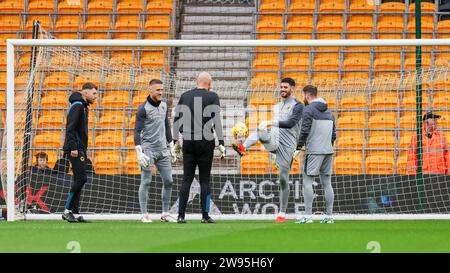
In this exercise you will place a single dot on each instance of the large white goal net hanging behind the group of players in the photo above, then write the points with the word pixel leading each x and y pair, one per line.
pixel 371 91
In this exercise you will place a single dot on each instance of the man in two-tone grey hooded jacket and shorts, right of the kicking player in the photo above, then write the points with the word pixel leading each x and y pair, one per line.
pixel 317 134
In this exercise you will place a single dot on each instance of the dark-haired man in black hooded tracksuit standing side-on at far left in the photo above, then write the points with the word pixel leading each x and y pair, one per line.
pixel 75 146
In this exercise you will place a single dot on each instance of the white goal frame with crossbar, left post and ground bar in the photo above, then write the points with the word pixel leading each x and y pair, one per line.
pixel 12 44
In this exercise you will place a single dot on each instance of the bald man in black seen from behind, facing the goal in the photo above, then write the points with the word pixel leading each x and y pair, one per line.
pixel 197 118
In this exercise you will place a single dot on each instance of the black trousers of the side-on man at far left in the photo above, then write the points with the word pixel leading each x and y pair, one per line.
pixel 79 179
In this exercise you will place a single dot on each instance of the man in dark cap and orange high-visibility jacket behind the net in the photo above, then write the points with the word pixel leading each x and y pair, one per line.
pixel 436 152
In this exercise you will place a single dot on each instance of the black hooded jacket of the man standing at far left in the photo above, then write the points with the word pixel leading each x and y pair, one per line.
pixel 77 124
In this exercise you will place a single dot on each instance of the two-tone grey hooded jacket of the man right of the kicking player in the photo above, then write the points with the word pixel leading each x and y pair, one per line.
pixel 318 131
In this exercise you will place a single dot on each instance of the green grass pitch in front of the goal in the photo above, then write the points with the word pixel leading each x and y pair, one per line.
pixel 226 236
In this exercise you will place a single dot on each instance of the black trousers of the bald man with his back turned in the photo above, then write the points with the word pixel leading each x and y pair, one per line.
pixel 196 153
